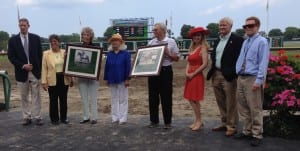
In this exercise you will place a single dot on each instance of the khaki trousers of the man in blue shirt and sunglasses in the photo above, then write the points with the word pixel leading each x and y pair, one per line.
pixel 250 106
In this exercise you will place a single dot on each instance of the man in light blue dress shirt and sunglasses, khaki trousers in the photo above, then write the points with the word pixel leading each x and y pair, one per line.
pixel 251 68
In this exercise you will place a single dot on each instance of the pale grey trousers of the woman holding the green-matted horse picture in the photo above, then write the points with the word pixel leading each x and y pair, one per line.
pixel 89 93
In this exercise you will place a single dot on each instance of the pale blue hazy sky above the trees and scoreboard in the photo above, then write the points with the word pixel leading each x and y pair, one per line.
pixel 69 16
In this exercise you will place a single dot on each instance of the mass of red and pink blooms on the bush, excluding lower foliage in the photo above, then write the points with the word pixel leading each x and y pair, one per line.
pixel 283 82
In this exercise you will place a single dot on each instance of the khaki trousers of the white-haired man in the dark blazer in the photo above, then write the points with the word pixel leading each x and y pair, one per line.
pixel 225 93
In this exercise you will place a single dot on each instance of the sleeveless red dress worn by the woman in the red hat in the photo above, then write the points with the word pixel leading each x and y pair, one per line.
pixel 194 88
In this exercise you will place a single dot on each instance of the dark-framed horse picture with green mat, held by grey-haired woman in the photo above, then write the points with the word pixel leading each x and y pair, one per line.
pixel 83 61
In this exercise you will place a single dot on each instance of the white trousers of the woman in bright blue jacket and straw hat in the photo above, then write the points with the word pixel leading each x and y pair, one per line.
pixel 119 102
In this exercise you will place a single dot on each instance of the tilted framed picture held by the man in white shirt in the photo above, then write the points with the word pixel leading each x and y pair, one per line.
pixel 148 60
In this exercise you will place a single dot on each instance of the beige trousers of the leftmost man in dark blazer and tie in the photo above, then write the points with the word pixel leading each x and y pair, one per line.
pixel 30 109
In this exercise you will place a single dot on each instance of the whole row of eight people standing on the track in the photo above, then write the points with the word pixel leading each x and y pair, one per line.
pixel 238 71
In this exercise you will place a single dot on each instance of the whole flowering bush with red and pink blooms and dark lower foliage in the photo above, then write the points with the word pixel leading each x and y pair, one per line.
pixel 282 94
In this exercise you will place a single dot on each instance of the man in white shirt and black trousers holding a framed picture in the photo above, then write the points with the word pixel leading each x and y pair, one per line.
pixel 160 87
